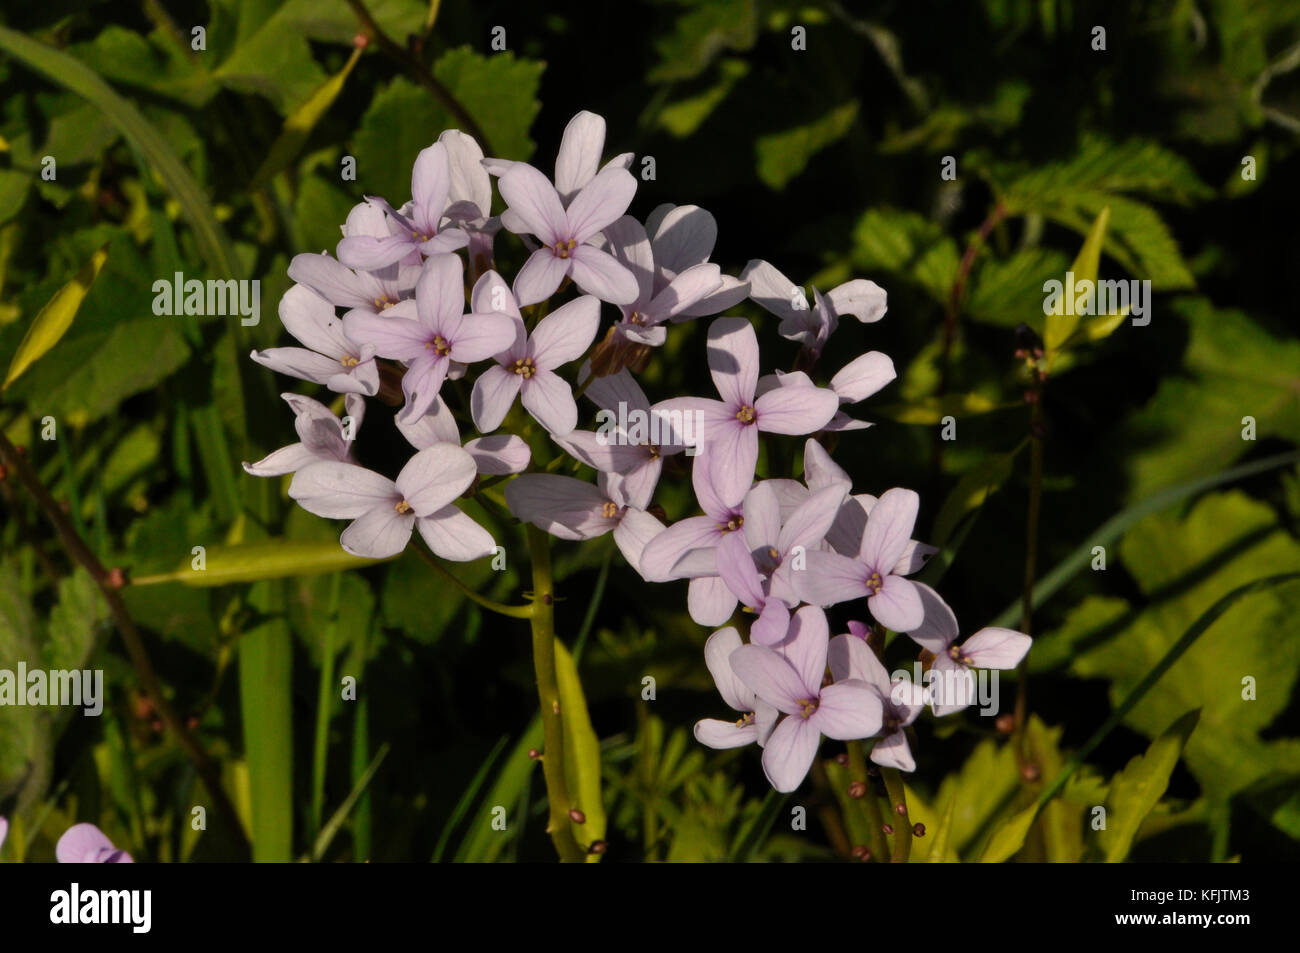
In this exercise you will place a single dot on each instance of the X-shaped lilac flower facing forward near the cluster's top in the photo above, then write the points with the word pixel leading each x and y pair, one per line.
pixel 536 210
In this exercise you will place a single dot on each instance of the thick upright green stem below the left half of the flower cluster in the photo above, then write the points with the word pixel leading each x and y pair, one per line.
pixel 543 620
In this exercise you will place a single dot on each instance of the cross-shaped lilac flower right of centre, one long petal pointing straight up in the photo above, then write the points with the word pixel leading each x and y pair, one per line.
pixel 730 444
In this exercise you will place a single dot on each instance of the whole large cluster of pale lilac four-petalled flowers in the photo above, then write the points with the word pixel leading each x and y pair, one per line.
pixel 782 549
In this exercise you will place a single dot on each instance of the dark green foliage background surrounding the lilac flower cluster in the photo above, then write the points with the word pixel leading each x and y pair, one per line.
pixel 825 162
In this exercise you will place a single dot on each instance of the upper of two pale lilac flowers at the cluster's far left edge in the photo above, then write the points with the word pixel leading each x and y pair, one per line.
pixel 331 357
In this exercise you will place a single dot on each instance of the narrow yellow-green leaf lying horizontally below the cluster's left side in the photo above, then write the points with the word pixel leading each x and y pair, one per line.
pixel 262 560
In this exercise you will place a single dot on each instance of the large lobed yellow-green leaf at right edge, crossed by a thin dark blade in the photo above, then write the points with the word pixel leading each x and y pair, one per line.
pixel 1184 566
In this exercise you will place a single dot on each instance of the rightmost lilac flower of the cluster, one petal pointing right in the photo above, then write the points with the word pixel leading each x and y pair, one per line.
pixel 952 686
